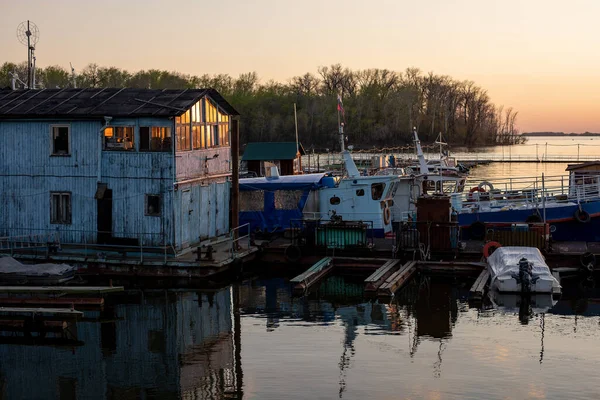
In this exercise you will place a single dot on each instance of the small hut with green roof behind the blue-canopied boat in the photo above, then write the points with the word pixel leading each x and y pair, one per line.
pixel 286 156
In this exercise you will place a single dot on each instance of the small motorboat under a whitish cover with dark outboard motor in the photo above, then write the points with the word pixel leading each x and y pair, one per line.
pixel 515 269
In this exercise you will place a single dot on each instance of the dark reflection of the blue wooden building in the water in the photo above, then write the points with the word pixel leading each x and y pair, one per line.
pixel 167 346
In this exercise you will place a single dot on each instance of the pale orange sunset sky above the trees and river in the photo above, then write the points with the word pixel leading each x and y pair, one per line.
pixel 539 57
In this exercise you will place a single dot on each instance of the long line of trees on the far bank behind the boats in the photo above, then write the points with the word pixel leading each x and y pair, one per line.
pixel 381 107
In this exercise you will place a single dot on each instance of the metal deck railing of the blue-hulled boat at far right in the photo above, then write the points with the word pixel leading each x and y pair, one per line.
pixel 514 191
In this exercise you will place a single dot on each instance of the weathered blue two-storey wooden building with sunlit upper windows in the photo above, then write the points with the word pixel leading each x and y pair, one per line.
pixel 116 166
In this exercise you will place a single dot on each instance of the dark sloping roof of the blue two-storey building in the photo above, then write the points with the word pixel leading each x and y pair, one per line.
pixel 114 102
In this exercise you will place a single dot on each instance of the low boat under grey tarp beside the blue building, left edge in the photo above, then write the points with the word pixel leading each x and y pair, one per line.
pixel 16 273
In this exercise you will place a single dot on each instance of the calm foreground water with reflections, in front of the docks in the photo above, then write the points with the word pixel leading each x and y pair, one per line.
pixel 254 340
